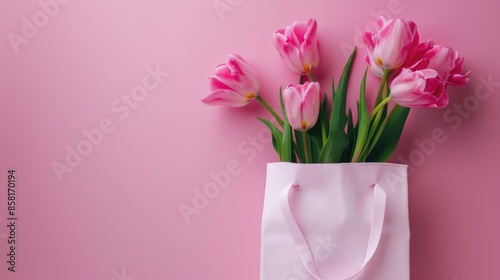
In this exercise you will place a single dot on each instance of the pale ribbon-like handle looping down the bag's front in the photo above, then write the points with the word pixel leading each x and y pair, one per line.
pixel 305 252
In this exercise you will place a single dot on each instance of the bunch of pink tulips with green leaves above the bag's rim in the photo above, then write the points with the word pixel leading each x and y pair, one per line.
pixel 412 74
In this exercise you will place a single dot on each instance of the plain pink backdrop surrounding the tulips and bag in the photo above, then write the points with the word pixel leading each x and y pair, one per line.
pixel 116 215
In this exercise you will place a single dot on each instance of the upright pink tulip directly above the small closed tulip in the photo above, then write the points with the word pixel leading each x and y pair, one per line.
pixel 298 46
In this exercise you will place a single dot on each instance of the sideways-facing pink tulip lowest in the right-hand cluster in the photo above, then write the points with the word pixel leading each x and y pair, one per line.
pixel 421 88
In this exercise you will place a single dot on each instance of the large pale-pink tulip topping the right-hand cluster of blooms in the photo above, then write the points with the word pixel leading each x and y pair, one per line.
pixel 388 48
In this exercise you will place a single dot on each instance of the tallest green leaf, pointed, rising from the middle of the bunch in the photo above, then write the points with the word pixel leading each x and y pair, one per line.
pixel 337 140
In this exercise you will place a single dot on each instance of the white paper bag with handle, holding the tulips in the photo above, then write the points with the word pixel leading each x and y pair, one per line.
pixel 335 222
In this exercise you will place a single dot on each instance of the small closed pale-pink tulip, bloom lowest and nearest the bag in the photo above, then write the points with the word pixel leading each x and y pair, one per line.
pixel 302 103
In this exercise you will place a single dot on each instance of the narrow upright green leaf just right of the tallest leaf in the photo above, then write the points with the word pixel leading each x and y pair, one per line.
pixel 363 121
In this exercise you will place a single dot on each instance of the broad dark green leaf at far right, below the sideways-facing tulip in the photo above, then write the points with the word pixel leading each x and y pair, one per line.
pixel 389 138
